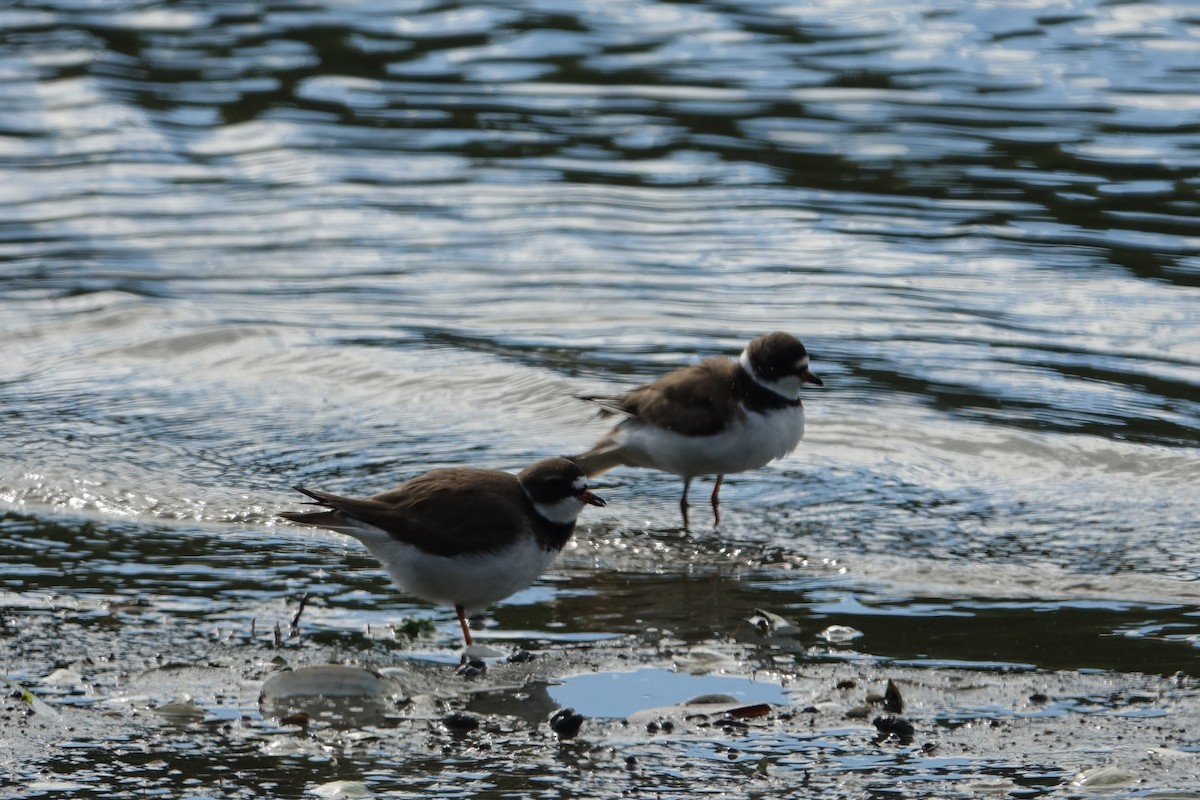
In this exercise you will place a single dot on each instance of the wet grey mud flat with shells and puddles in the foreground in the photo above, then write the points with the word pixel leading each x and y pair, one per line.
pixel 263 714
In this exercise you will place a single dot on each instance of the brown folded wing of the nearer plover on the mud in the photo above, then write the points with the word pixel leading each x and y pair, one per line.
pixel 445 513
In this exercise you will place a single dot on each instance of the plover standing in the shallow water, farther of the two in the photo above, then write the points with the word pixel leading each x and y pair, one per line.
pixel 713 418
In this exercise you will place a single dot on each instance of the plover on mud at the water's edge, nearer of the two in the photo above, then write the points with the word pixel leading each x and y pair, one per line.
pixel 464 537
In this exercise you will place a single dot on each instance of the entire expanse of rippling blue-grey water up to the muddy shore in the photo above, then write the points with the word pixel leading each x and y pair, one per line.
pixel 250 246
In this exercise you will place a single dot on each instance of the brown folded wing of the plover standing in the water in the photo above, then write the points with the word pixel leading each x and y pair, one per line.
pixel 693 401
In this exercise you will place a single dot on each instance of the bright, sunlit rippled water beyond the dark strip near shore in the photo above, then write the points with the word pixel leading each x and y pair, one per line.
pixel 281 287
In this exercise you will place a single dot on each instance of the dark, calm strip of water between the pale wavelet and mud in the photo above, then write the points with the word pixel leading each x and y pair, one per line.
pixel 152 593
